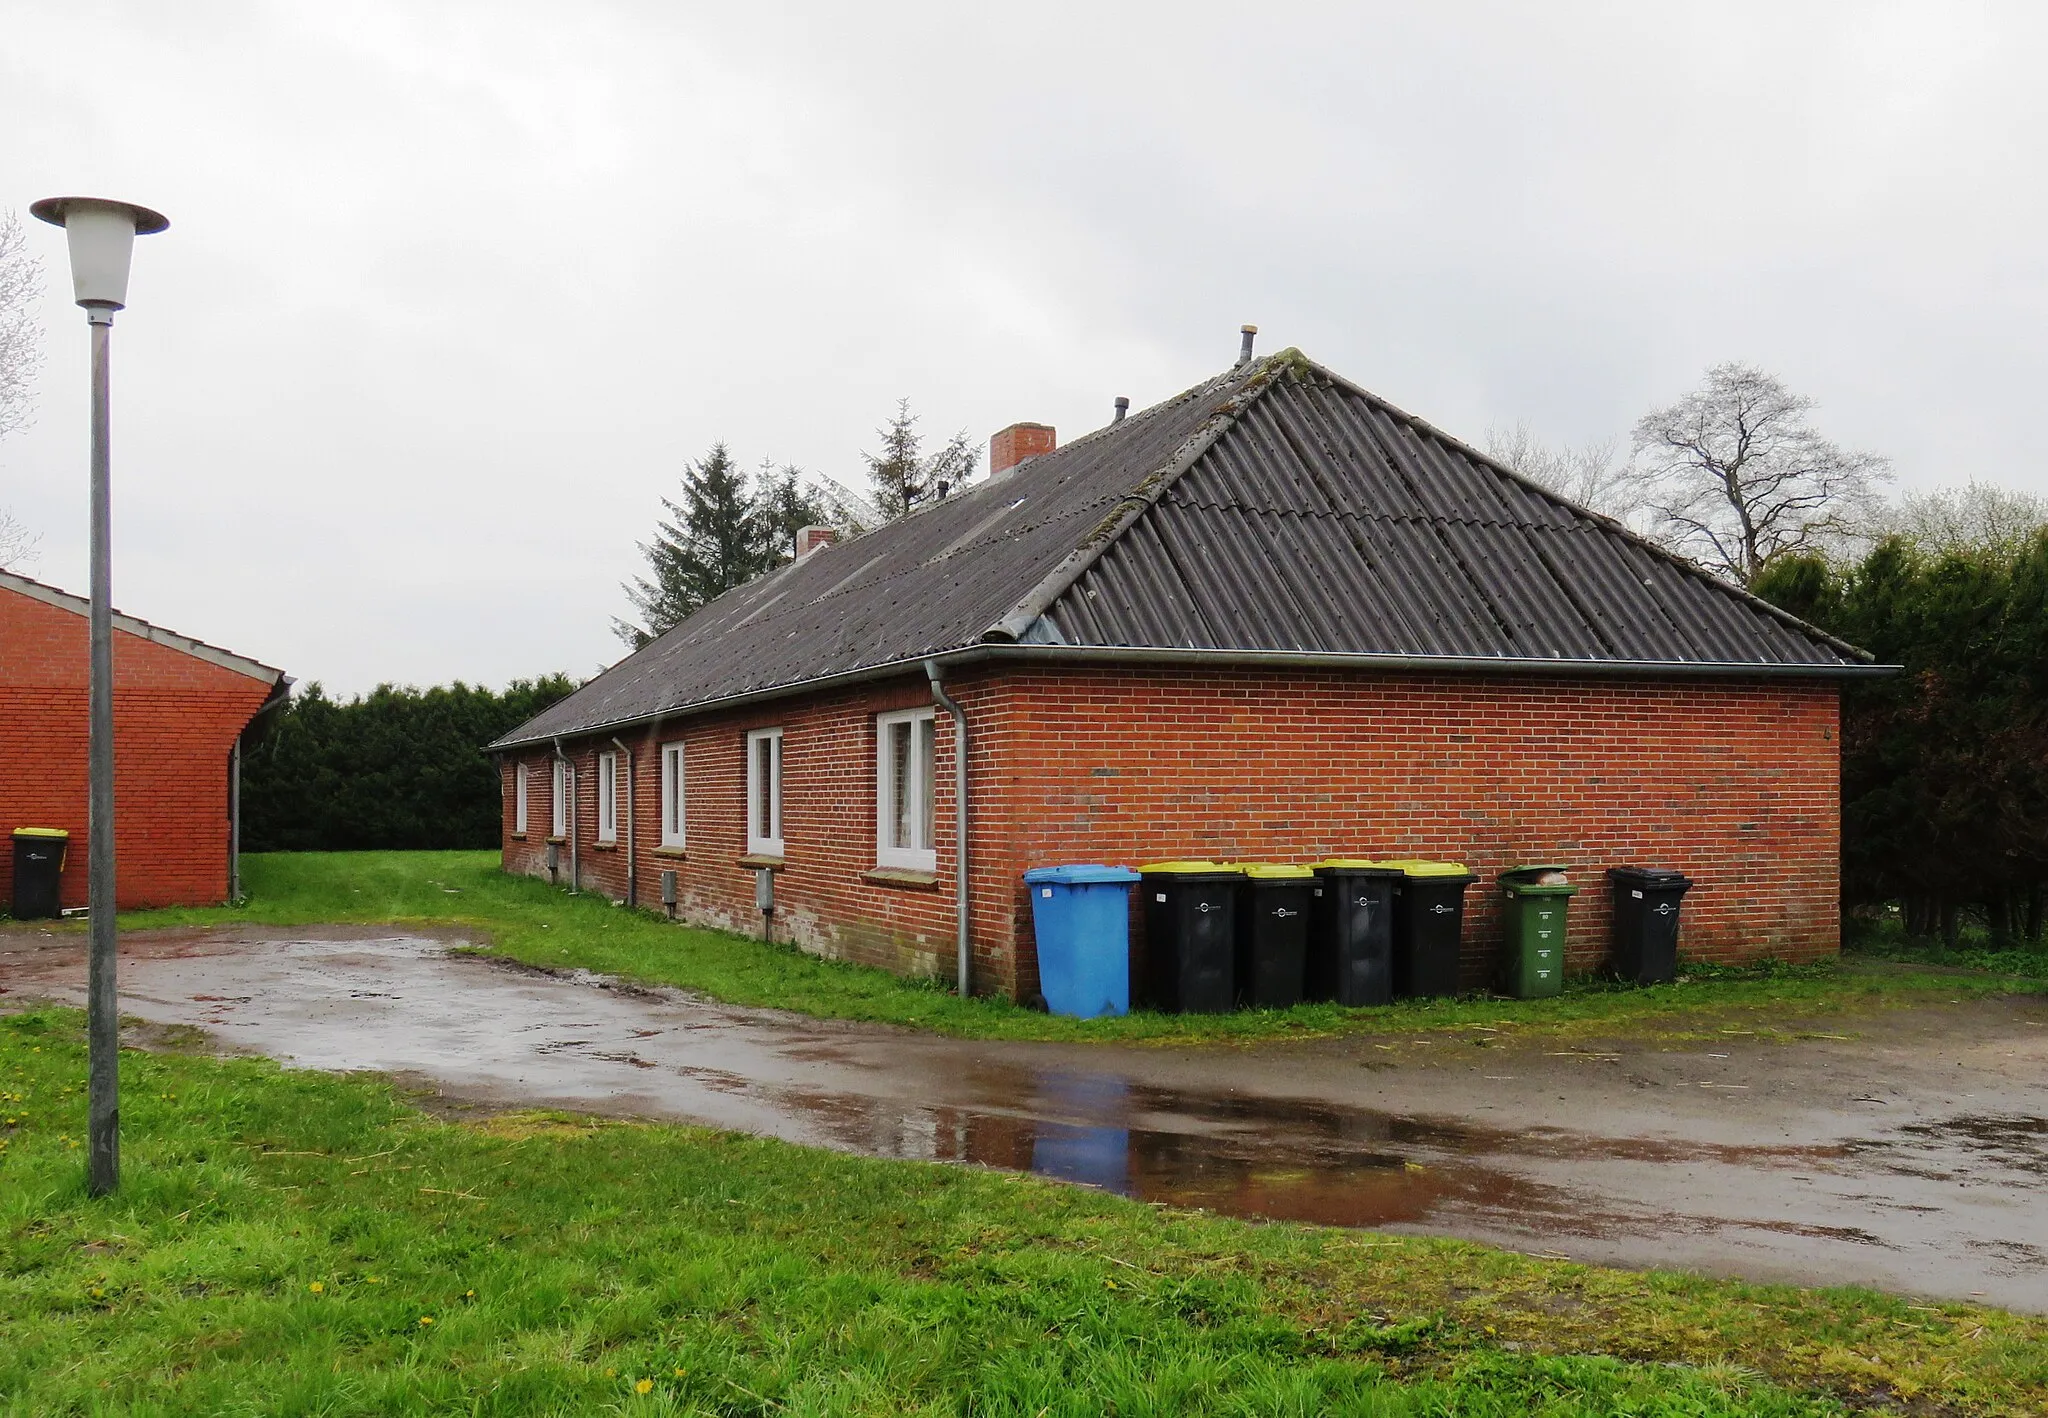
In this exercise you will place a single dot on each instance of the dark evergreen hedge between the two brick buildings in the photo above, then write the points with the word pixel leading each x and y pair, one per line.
pixel 392 769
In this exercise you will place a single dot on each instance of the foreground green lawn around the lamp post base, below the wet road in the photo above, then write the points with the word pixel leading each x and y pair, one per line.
pixel 308 1245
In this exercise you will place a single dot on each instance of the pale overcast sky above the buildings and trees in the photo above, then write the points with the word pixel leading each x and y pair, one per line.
pixel 452 292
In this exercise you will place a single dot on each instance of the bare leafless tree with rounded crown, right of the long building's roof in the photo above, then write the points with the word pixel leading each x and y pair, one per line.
pixel 1736 476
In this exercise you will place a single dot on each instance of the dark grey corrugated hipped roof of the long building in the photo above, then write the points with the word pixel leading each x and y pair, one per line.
pixel 1273 509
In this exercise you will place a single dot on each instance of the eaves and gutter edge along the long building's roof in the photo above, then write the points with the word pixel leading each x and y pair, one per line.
pixel 1002 653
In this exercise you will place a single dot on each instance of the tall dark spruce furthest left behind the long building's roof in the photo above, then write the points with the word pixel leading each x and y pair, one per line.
pixel 710 544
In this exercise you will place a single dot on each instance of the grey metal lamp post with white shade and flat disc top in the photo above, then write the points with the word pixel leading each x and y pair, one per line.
pixel 101 237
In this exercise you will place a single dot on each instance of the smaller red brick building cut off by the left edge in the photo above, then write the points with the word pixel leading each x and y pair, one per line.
pixel 181 710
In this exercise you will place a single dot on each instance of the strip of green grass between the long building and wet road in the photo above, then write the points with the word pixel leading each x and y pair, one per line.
pixel 540 925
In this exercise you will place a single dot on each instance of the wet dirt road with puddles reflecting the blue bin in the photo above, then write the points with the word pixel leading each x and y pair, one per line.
pixel 1912 1157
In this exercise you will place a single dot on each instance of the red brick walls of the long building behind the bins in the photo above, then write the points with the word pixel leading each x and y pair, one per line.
pixel 1736 784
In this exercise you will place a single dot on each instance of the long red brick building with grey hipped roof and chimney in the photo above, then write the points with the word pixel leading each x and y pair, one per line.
pixel 1271 620
